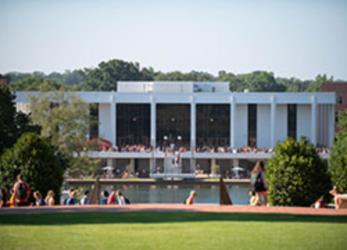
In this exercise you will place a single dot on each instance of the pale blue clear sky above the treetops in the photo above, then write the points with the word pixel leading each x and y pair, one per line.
pixel 291 38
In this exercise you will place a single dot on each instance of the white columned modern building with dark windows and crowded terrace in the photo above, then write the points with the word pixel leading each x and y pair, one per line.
pixel 192 129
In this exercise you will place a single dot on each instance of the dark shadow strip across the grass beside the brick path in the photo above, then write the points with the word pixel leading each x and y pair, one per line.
pixel 162 217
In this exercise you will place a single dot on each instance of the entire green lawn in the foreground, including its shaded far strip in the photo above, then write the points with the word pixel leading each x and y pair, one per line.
pixel 176 231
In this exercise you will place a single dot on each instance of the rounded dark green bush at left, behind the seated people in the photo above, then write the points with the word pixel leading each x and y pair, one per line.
pixel 37 160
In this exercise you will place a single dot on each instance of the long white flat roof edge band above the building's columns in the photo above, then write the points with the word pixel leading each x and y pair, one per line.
pixel 196 97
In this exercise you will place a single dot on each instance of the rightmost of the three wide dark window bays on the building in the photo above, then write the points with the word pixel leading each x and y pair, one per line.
pixel 213 125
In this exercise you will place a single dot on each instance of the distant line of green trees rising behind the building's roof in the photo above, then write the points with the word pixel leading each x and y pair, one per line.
pixel 106 75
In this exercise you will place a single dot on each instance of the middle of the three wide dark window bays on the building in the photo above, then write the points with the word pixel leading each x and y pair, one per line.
pixel 173 125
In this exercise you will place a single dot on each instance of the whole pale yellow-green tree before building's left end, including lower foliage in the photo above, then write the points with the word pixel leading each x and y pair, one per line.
pixel 65 120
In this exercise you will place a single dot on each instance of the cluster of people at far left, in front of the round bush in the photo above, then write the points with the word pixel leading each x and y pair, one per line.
pixel 22 195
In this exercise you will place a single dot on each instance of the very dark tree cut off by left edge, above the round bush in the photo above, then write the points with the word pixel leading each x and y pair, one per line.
pixel 12 123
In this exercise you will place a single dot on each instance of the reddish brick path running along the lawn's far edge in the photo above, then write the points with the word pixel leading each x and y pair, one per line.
pixel 174 207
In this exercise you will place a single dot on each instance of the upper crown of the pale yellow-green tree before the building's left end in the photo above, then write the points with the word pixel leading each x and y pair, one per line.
pixel 63 117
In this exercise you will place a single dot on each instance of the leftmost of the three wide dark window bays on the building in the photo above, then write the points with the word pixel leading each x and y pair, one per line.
pixel 133 124
